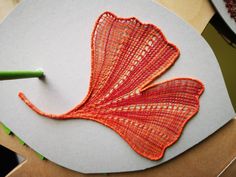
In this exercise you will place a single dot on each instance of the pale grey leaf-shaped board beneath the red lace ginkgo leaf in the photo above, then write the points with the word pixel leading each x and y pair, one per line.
pixel 55 35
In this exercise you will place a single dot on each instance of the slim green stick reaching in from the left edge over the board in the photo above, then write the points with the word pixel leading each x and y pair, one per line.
pixel 7 75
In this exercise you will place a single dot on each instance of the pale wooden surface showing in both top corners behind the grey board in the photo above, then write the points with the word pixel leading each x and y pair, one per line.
pixel 196 12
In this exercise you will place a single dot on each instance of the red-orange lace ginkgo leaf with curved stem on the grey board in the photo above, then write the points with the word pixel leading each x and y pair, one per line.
pixel 126 57
